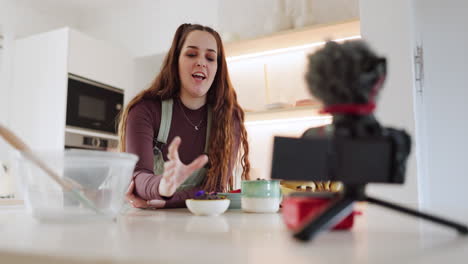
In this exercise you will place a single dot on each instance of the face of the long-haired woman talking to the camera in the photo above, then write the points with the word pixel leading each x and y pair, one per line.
pixel 198 64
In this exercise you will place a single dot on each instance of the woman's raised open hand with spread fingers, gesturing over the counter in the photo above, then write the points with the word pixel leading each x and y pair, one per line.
pixel 176 172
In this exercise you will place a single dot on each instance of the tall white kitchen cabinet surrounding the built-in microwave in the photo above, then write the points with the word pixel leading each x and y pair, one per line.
pixel 42 62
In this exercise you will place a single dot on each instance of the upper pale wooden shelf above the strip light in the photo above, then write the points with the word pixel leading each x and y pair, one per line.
pixel 294 38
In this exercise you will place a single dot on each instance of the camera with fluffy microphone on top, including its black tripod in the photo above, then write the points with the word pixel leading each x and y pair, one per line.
pixel 355 149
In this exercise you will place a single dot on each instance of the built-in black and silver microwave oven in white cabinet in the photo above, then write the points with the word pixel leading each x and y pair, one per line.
pixel 92 114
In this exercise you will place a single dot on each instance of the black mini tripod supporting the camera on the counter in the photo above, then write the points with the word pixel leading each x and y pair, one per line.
pixel 341 206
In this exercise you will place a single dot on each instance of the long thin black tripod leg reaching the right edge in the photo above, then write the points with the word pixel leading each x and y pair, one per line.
pixel 462 229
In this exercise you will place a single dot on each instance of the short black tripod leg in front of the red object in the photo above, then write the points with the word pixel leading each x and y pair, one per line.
pixel 339 209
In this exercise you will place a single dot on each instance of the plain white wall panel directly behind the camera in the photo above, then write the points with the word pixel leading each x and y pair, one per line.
pixel 388 28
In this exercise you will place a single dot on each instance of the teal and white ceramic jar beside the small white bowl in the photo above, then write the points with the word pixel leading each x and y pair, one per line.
pixel 261 196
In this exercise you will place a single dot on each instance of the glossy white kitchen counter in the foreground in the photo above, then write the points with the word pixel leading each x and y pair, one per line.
pixel 176 236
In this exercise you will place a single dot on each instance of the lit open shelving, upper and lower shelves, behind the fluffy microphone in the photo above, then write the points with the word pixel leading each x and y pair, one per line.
pixel 270 69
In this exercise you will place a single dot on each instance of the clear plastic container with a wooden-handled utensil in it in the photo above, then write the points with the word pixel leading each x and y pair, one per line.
pixel 103 177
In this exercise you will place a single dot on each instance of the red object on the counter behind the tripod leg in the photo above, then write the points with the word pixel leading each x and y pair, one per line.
pixel 296 209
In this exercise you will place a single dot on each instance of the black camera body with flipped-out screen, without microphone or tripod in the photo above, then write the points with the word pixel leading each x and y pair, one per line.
pixel 355 154
